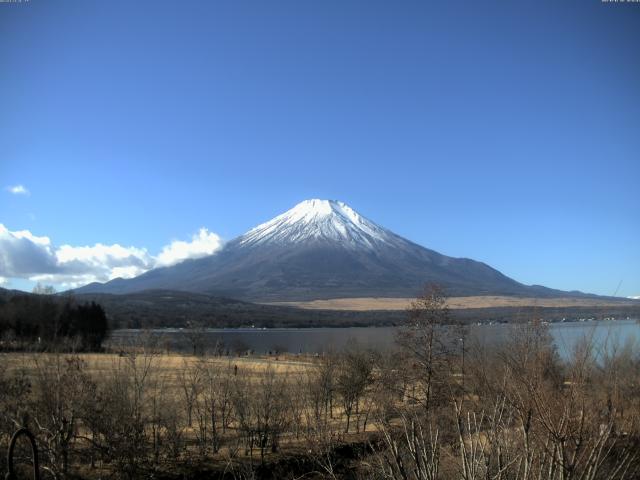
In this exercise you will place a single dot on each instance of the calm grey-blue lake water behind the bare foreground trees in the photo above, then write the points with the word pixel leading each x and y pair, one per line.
pixel 604 334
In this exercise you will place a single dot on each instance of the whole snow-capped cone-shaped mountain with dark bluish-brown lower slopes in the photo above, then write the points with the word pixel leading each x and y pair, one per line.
pixel 322 249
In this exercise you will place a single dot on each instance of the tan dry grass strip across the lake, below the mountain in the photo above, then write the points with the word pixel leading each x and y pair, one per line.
pixel 383 303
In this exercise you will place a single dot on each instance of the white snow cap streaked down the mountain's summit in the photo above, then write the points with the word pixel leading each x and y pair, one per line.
pixel 319 220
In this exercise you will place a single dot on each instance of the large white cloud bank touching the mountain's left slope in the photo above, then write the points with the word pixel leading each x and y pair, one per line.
pixel 28 256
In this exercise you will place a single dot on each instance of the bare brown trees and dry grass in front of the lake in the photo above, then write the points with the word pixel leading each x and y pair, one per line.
pixel 437 408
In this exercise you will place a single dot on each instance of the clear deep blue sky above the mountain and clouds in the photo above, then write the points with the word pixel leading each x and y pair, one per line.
pixel 507 132
